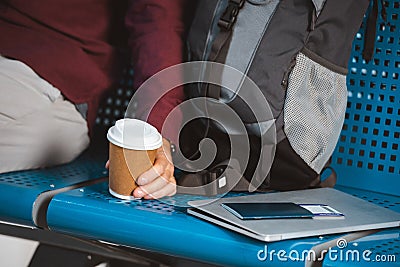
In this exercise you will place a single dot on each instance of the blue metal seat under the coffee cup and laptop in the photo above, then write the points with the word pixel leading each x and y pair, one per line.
pixel 165 227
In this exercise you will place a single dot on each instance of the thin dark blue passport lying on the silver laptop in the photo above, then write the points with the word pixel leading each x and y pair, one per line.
pixel 271 210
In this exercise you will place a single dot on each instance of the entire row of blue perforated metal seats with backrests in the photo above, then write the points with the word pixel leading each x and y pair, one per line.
pixel 366 160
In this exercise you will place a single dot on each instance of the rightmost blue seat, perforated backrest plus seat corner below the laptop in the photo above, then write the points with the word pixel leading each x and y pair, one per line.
pixel 367 157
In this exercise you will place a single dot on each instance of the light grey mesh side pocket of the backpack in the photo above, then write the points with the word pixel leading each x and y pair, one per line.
pixel 314 110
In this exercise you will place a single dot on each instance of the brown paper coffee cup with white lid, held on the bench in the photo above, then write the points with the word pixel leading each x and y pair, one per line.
pixel 133 145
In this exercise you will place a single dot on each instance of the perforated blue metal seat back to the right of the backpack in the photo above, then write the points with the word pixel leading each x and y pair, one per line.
pixel 367 155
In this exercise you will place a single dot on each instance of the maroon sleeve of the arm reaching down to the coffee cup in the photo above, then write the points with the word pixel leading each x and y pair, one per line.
pixel 156 41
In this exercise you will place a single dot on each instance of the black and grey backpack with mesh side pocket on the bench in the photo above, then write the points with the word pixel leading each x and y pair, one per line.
pixel 296 53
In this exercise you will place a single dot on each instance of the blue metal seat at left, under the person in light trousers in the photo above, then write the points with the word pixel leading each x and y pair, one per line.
pixel 22 193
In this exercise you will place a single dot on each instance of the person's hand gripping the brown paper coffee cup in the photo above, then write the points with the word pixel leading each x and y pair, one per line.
pixel 159 181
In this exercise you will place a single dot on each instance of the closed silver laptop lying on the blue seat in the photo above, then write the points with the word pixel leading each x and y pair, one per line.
pixel 359 215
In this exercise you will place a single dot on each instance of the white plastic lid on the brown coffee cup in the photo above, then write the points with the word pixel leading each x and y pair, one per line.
pixel 134 134
